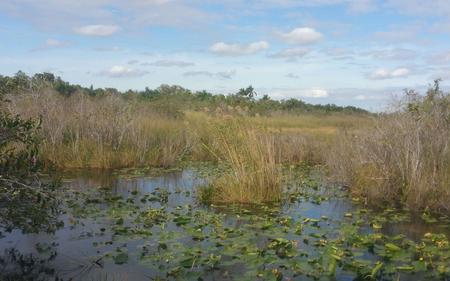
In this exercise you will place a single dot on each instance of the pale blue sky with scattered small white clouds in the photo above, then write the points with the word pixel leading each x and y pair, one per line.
pixel 347 52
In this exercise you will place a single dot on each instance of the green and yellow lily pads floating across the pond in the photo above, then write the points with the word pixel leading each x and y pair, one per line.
pixel 195 242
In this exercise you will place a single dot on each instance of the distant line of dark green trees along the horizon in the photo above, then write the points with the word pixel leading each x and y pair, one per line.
pixel 175 97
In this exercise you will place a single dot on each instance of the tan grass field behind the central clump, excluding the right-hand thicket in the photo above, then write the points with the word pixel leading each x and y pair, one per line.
pixel 112 131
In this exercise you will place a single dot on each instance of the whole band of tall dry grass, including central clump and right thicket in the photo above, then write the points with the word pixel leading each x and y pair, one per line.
pixel 400 157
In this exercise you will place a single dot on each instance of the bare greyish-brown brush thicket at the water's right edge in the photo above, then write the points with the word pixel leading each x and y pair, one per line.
pixel 404 158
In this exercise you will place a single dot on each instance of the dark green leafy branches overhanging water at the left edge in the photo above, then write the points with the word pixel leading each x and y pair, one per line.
pixel 26 202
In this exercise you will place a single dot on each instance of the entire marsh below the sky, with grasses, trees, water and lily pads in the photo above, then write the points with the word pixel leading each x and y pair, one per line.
pixel 274 190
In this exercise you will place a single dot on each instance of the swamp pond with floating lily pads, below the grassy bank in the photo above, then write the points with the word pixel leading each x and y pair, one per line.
pixel 140 227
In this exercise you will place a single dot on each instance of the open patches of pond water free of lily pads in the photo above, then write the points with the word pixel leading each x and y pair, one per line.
pixel 69 253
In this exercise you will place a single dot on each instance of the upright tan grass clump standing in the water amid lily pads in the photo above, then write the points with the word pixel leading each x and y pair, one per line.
pixel 254 174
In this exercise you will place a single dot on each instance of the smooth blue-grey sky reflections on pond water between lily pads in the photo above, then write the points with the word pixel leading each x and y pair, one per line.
pixel 76 253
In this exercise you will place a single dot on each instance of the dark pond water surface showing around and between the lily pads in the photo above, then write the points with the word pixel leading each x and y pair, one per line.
pixel 79 250
